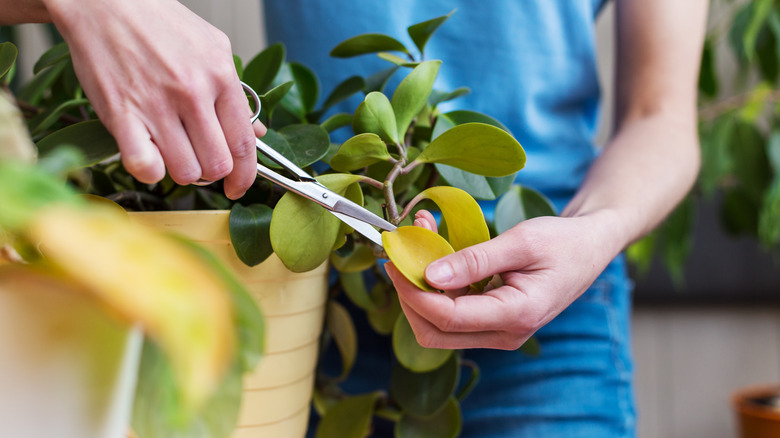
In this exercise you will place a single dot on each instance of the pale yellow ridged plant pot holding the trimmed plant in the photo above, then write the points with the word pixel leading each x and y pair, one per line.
pixel 277 394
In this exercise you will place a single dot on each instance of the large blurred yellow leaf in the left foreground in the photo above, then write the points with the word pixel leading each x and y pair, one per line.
pixel 149 278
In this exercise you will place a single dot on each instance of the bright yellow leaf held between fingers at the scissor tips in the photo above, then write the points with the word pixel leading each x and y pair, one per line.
pixel 412 249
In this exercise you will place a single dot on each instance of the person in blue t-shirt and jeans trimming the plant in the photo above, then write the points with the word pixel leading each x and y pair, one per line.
pixel 162 81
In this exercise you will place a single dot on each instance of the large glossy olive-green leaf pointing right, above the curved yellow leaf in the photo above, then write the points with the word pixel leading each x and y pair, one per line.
pixel 476 148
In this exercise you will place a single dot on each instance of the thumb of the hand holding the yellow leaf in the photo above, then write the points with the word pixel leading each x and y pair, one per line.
pixel 471 265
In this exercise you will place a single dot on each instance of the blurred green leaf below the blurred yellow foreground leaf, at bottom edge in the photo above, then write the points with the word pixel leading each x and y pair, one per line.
pixel 158 411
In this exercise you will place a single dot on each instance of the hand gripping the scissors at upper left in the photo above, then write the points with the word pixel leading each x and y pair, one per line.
pixel 163 82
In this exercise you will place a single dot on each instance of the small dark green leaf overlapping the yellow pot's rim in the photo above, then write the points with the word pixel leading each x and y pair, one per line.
pixel 250 232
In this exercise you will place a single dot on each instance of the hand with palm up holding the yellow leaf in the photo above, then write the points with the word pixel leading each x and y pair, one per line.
pixel 543 263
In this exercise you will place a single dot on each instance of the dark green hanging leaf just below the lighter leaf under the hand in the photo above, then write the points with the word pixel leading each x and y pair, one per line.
pixel 424 394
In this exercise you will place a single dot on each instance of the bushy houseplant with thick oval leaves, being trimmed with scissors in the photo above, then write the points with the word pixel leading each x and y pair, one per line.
pixel 402 148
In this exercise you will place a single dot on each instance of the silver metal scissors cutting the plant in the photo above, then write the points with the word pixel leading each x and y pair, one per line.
pixel 352 214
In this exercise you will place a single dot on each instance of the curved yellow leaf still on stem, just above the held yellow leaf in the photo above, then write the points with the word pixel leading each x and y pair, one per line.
pixel 465 222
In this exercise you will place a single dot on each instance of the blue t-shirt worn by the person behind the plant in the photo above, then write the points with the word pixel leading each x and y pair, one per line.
pixel 530 64
